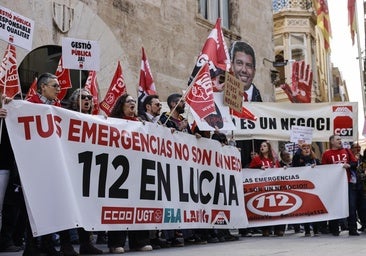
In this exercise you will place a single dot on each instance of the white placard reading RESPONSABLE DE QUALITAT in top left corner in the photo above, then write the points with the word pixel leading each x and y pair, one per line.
pixel 16 29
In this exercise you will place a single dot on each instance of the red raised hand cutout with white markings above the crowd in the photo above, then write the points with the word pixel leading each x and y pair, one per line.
pixel 302 81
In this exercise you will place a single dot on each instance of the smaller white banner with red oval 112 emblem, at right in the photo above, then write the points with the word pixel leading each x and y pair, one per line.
pixel 295 195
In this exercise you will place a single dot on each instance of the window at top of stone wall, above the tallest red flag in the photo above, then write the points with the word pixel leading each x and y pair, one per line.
pixel 213 9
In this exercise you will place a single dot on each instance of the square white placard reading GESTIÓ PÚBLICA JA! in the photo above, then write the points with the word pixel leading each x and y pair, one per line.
pixel 80 54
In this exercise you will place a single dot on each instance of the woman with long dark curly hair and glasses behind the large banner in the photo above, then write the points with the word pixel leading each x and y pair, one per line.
pixel 125 108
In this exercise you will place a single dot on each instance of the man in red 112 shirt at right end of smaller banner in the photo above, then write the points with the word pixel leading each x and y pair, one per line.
pixel 336 154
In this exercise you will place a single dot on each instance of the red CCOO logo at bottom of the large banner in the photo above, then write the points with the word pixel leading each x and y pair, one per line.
pixel 117 215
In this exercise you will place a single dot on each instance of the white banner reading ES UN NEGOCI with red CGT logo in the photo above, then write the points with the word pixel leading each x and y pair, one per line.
pixel 276 119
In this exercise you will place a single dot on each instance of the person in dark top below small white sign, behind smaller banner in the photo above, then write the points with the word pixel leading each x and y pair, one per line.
pixel 307 157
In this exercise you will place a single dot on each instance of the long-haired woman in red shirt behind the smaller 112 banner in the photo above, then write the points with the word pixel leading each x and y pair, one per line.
pixel 263 161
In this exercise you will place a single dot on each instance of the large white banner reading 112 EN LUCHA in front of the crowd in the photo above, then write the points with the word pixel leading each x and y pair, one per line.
pixel 86 171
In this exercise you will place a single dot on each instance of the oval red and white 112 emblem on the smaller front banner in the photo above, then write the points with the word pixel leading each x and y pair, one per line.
pixel 274 203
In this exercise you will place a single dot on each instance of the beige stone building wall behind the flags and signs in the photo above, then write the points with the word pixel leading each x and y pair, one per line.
pixel 172 33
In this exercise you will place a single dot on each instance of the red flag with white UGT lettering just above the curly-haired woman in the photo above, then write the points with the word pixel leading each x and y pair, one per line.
pixel 116 89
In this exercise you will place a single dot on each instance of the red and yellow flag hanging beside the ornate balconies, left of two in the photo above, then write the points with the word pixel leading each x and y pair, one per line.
pixel 323 21
